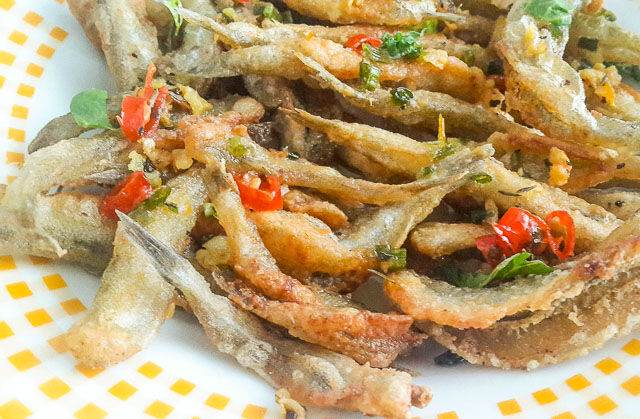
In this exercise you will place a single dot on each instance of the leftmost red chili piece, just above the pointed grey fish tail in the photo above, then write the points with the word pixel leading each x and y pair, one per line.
pixel 126 195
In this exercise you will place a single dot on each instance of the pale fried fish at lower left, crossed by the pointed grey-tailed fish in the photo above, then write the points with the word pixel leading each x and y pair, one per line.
pixel 133 301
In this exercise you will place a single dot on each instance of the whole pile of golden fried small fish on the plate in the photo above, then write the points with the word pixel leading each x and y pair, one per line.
pixel 399 132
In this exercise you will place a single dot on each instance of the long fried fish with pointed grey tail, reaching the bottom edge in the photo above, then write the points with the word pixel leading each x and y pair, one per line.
pixel 309 373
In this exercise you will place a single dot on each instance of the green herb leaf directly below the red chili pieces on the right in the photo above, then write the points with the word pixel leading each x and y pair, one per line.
pixel 516 265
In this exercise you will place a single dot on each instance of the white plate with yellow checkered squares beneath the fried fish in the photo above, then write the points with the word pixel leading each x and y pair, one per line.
pixel 44 60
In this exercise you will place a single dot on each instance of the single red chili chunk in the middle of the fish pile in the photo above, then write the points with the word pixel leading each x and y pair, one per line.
pixel 265 196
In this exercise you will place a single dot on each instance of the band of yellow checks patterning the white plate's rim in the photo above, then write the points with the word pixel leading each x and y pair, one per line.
pixel 44 306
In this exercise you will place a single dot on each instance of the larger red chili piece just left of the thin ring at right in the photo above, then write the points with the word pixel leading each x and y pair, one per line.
pixel 517 228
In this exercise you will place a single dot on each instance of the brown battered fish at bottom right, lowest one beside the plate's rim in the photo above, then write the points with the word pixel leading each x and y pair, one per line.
pixel 604 310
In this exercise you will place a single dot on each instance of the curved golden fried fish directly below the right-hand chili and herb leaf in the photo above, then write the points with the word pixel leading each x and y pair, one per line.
pixel 427 299
